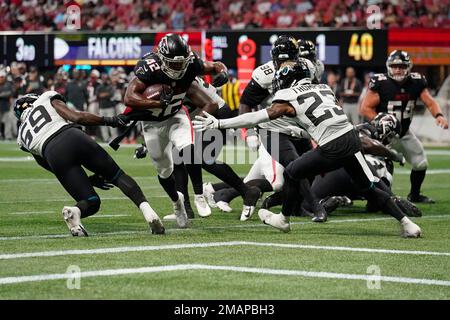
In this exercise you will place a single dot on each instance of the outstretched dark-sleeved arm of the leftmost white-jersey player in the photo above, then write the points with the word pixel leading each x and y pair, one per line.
pixel 86 118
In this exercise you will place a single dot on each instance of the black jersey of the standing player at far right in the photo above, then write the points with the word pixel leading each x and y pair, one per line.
pixel 398 98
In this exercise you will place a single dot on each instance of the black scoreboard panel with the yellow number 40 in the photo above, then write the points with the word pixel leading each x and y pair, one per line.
pixel 334 47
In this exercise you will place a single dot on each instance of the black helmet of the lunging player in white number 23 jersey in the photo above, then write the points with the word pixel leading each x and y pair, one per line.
pixel 290 74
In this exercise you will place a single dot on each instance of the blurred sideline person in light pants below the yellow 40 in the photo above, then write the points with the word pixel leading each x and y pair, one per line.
pixel 349 92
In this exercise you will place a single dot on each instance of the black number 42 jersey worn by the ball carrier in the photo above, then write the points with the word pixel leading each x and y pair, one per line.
pixel 148 70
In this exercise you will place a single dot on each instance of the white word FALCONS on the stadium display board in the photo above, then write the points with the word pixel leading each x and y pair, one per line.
pixel 114 48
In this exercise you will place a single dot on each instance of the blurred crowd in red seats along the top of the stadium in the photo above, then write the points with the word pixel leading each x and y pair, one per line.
pixel 157 15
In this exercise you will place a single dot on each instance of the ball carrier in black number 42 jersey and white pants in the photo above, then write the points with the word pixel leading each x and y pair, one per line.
pixel 166 123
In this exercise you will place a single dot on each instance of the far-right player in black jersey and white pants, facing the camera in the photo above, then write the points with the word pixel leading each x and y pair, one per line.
pixel 396 92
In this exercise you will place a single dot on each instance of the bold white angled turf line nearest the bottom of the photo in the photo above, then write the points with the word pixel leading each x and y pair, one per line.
pixel 190 267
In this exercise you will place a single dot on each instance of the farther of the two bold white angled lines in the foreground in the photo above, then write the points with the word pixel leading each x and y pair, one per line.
pixel 11 256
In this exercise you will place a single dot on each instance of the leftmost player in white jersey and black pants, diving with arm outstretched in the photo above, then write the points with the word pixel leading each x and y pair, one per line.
pixel 47 131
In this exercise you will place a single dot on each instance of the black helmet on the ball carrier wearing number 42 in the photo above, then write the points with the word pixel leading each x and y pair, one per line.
pixel 175 55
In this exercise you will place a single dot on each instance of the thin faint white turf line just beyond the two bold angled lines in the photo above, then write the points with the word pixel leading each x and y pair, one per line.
pixel 248 225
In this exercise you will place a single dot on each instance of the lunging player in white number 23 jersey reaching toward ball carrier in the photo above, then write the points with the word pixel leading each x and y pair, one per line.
pixel 315 109
